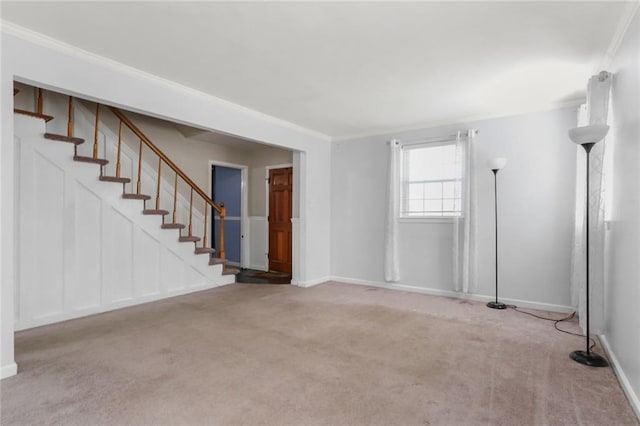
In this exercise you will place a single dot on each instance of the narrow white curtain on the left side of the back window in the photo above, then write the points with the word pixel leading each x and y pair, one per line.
pixel 391 261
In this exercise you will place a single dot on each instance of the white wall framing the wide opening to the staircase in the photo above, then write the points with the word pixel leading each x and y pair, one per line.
pixel 43 62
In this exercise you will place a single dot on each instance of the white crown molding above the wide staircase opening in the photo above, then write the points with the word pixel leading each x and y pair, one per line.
pixel 43 40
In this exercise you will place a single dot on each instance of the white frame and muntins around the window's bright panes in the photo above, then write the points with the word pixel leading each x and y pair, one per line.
pixel 404 186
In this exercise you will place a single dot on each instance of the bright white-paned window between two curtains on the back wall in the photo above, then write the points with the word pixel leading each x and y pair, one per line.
pixel 431 181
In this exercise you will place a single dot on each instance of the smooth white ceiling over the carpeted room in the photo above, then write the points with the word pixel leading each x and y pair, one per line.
pixel 346 69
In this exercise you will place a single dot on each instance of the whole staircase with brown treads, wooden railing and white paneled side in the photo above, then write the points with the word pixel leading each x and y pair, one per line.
pixel 165 214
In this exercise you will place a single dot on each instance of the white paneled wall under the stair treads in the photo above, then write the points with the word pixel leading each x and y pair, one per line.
pixel 82 248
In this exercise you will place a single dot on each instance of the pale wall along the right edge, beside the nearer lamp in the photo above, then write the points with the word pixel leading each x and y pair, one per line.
pixel 623 238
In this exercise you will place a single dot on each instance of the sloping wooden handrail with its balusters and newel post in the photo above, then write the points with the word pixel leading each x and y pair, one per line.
pixel 162 158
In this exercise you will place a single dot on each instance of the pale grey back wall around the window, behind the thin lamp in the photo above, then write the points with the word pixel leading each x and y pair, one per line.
pixel 536 196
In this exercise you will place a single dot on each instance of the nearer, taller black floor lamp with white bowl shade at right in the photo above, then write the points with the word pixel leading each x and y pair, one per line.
pixel 587 137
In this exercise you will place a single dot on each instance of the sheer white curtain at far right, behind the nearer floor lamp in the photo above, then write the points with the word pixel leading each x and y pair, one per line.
pixel 594 112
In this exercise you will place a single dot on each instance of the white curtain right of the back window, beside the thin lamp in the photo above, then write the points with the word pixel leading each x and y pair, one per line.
pixel 465 226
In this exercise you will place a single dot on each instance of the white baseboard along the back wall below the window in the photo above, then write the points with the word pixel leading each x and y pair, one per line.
pixel 449 293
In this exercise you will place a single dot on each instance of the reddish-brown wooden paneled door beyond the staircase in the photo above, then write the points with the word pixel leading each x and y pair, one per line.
pixel 280 191
